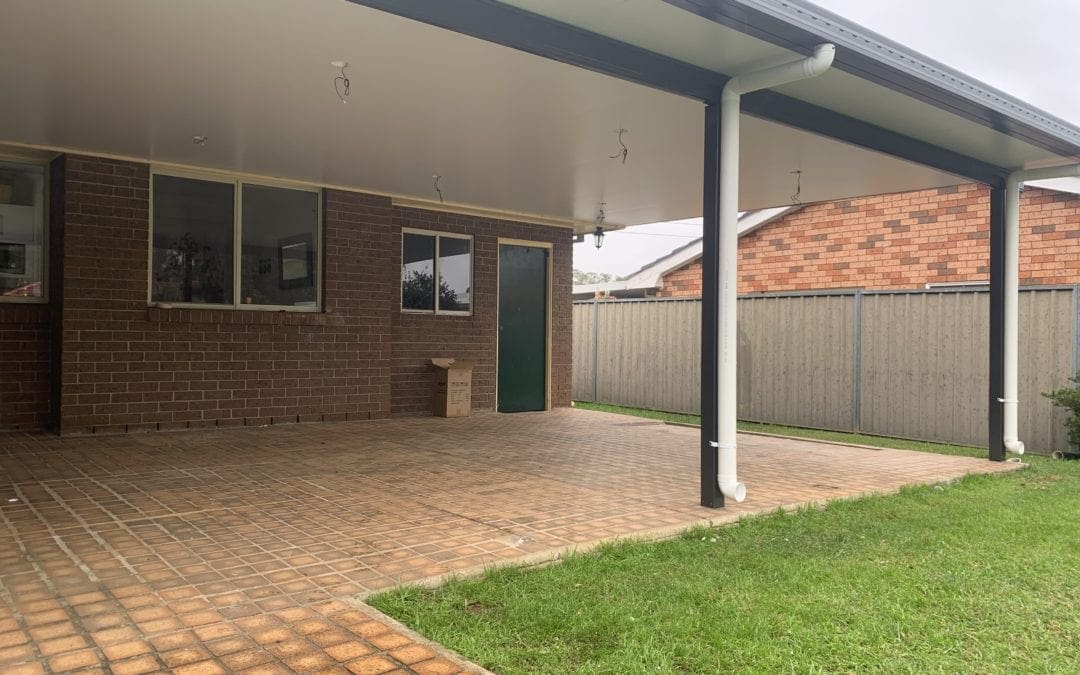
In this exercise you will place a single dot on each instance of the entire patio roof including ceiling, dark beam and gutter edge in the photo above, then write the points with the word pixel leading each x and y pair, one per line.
pixel 524 126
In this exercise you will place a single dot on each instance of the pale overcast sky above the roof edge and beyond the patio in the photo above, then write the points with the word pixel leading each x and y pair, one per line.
pixel 1030 49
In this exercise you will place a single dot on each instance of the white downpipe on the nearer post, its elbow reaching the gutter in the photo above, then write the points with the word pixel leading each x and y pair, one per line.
pixel 728 236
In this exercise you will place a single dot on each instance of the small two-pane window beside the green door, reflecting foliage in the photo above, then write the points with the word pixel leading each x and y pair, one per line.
pixel 422 266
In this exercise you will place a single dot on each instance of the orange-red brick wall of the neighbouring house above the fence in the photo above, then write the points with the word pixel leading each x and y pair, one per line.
pixel 900 241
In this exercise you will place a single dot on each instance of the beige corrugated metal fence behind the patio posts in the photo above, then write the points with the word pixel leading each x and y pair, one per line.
pixel 910 364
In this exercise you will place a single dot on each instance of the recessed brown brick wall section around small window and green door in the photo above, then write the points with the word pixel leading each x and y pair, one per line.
pixel 417 339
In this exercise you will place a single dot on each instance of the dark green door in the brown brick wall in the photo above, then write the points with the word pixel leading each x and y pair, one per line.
pixel 523 329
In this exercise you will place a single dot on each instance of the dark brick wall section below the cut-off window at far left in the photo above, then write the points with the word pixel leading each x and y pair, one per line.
pixel 25 343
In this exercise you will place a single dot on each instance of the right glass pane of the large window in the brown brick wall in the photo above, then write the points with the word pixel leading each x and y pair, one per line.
pixel 279 262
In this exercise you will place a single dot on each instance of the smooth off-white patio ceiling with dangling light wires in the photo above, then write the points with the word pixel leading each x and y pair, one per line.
pixel 506 130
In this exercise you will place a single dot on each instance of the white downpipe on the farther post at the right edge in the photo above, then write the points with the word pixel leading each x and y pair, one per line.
pixel 1010 398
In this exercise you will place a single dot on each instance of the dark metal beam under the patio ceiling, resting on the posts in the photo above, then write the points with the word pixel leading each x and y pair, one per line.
pixel 515 29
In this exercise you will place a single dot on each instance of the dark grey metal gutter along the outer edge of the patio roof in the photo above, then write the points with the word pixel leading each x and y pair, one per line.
pixel 799 26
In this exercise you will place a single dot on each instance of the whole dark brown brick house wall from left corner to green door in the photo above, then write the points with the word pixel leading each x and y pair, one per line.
pixel 129 368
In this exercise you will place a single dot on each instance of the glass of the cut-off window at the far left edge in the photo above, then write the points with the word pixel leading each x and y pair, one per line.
pixel 22 232
